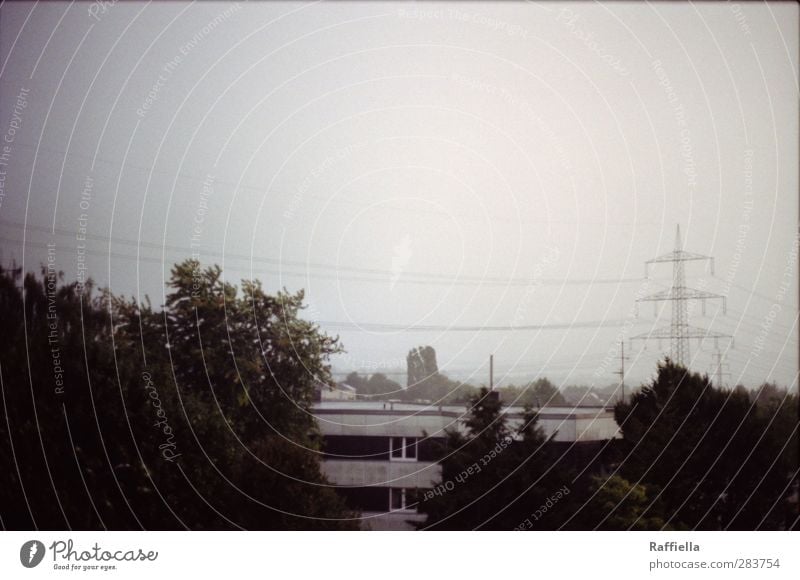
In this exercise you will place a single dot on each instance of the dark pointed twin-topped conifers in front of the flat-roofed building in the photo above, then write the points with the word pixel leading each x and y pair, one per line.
pixel 496 478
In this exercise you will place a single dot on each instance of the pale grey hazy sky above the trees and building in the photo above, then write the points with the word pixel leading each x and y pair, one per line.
pixel 430 174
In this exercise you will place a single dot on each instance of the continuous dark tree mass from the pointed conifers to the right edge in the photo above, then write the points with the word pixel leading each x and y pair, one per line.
pixel 691 456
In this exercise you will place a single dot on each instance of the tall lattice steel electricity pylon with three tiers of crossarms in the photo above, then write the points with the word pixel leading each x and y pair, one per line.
pixel 680 332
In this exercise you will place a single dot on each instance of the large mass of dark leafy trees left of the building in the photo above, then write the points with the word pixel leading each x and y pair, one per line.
pixel 119 416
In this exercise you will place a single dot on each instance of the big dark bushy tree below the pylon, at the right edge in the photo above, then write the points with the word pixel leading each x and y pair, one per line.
pixel 719 461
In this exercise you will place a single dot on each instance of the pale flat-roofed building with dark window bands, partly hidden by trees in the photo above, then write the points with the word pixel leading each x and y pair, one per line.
pixel 380 454
